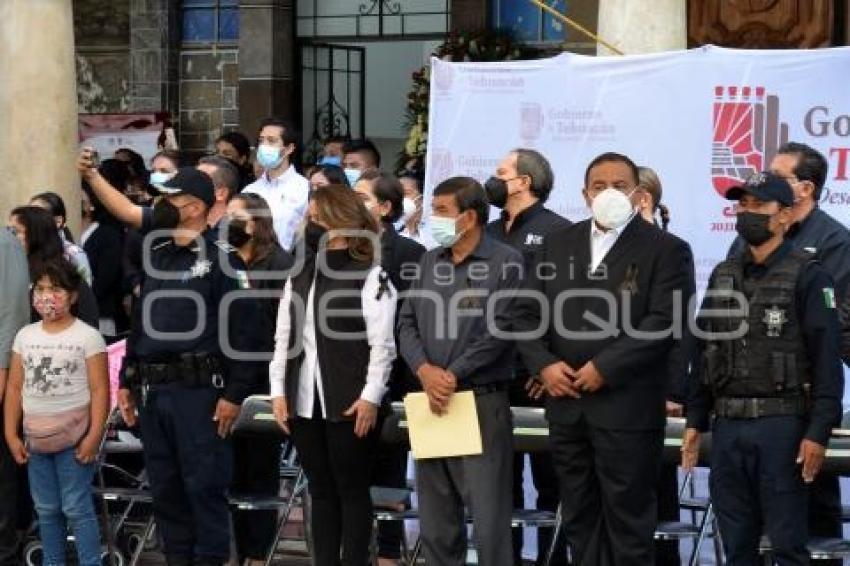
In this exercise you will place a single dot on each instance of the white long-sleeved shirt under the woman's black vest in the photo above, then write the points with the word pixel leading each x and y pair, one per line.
pixel 379 315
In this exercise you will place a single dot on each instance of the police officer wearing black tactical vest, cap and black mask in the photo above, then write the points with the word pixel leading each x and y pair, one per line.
pixel 772 376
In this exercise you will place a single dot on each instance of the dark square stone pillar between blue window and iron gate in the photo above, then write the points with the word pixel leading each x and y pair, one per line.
pixel 267 63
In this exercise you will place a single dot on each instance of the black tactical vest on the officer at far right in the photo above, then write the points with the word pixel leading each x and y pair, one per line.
pixel 770 359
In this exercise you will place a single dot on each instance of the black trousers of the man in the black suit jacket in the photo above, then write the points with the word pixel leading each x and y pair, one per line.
pixel 608 482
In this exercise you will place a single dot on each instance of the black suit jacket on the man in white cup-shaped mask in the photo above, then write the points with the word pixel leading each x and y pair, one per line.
pixel 638 278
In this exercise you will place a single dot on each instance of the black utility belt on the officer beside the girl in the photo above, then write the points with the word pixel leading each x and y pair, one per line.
pixel 192 370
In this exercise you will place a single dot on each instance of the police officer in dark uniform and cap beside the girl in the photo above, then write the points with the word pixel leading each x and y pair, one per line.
pixel 183 370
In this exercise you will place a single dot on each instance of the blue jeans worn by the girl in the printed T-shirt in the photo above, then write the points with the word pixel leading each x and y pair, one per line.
pixel 62 491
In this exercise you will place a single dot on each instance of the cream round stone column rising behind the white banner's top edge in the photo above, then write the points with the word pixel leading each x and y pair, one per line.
pixel 643 26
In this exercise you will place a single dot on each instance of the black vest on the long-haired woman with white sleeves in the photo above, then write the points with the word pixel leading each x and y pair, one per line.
pixel 342 353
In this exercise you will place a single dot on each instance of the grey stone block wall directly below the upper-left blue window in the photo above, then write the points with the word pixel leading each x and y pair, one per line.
pixel 209 96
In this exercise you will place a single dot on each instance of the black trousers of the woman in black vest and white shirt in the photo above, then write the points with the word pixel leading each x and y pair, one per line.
pixel 338 468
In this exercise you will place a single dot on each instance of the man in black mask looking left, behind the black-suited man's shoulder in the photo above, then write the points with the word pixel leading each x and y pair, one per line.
pixel 520 187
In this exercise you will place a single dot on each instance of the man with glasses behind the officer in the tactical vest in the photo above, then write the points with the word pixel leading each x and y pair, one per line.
pixel 818 233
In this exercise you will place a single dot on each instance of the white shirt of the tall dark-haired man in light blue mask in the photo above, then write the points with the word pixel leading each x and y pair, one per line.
pixel 287 197
